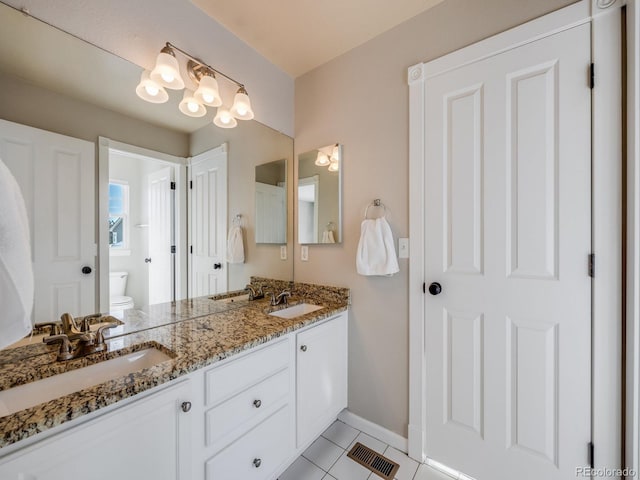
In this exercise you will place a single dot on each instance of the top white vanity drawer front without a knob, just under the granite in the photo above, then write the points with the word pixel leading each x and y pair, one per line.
pixel 227 380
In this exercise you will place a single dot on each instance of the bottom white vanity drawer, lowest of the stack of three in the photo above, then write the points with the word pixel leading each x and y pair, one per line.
pixel 258 454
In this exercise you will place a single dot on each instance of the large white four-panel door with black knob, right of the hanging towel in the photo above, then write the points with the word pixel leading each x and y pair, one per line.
pixel 508 237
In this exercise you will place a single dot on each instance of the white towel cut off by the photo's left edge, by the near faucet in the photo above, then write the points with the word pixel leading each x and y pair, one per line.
pixel 16 269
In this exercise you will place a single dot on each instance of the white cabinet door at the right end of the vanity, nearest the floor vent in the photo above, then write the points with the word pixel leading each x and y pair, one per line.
pixel 321 377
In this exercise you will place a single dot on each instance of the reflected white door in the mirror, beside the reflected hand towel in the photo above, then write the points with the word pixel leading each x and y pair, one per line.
pixel 208 174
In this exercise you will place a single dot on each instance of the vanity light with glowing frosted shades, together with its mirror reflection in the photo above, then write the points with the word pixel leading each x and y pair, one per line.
pixel 166 74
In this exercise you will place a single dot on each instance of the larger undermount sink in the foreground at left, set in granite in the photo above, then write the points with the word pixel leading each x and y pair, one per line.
pixel 31 394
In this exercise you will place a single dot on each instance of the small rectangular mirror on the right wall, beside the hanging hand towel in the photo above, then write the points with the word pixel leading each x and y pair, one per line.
pixel 320 195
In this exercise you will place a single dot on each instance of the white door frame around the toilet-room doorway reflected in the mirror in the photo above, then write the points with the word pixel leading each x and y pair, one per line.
pixel 105 147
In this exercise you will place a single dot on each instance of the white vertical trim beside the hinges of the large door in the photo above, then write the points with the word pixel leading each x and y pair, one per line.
pixel 606 314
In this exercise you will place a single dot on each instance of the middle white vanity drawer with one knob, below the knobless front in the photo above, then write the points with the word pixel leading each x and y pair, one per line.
pixel 233 417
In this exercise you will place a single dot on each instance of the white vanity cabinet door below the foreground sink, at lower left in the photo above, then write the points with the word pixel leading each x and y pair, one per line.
pixel 146 438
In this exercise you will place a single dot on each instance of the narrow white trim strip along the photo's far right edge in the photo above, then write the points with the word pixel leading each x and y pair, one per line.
pixel 632 421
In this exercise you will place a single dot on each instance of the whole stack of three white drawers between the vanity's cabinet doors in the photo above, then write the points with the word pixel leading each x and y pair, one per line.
pixel 248 415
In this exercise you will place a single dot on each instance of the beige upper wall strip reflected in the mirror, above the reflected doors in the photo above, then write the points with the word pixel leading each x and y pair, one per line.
pixel 27 104
